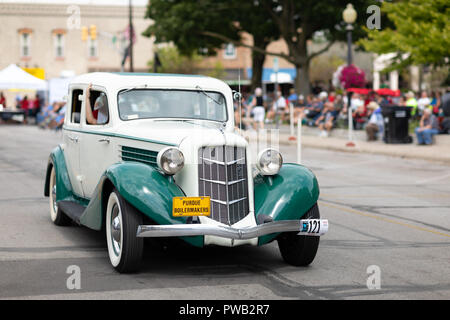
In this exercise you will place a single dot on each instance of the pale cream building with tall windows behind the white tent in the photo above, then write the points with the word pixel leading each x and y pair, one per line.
pixel 47 34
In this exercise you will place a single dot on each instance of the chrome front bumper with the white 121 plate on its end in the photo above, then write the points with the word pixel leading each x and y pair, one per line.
pixel 310 227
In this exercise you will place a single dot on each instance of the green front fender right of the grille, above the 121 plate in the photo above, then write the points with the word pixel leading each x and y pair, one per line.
pixel 286 196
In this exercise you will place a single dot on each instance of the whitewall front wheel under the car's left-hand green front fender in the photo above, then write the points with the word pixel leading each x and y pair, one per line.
pixel 124 248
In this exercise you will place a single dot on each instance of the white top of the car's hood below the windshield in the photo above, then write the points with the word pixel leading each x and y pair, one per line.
pixel 174 132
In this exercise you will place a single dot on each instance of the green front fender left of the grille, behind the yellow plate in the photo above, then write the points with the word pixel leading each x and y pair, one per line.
pixel 145 188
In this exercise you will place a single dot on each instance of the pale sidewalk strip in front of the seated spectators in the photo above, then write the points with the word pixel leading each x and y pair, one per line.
pixel 440 151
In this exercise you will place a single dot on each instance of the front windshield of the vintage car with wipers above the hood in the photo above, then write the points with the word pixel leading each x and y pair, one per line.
pixel 185 104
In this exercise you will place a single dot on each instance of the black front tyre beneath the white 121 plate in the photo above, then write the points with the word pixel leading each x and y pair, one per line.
pixel 300 250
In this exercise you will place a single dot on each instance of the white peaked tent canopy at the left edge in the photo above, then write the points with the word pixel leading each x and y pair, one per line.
pixel 13 77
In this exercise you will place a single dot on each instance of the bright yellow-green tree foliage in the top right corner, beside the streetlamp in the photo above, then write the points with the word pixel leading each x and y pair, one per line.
pixel 420 34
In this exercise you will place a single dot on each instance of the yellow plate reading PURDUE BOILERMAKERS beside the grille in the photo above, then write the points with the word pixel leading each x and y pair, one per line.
pixel 191 206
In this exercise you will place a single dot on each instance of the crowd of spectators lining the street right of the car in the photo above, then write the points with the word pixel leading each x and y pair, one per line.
pixel 325 109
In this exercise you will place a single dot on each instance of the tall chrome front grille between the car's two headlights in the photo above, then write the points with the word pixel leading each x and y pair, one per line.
pixel 222 175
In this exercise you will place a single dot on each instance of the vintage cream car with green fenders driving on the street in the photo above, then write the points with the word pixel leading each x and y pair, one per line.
pixel 154 155
